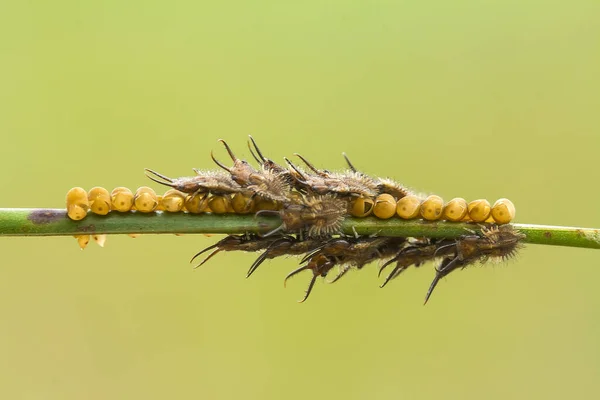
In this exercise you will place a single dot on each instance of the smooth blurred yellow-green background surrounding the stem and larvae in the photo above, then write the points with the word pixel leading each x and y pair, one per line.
pixel 464 98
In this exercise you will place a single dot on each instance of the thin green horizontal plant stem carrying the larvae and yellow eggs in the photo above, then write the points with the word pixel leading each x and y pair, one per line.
pixel 54 222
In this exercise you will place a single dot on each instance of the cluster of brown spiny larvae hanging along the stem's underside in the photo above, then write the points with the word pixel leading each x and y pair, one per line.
pixel 321 256
